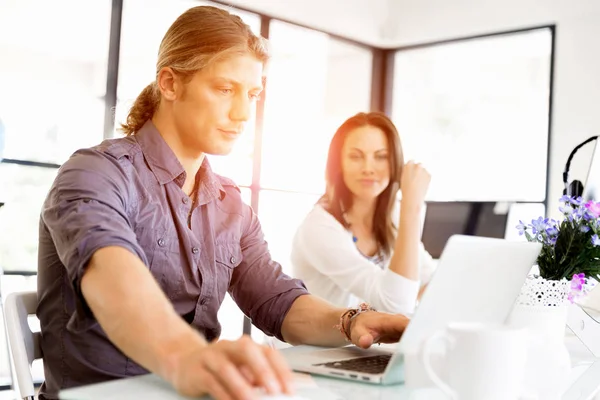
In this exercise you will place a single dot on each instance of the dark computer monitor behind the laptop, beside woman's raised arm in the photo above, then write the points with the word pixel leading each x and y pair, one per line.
pixel 444 219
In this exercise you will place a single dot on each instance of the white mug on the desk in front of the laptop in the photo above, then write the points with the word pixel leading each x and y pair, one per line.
pixel 481 362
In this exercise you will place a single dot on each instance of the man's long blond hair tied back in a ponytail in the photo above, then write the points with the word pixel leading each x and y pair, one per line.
pixel 199 37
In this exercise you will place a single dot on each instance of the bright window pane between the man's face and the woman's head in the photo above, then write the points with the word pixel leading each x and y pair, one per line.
pixel 314 83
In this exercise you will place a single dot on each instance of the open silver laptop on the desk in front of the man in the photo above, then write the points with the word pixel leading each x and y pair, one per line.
pixel 477 280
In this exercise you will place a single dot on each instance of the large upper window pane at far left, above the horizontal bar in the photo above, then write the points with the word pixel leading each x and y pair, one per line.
pixel 53 81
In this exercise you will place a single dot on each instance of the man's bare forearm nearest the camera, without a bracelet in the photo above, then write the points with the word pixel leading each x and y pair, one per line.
pixel 134 312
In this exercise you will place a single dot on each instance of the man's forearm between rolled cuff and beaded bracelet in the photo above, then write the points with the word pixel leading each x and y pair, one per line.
pixel 312 320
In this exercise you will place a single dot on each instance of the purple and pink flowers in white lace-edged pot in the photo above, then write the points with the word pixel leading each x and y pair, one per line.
pixel 567 268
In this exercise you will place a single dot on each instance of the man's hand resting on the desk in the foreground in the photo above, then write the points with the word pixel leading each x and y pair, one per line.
pixel 230 370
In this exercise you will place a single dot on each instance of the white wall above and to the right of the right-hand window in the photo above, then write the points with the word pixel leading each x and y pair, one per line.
pixel 576 109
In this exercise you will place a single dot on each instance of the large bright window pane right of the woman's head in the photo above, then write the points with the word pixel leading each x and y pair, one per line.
pixel 476 113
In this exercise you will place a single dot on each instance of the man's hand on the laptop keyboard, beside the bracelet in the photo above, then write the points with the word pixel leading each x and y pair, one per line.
pixel 375 327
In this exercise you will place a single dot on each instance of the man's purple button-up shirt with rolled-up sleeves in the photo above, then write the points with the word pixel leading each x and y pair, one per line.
pixel 128 192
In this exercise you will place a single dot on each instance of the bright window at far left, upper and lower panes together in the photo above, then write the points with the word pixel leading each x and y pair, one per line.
pixel 51 103
